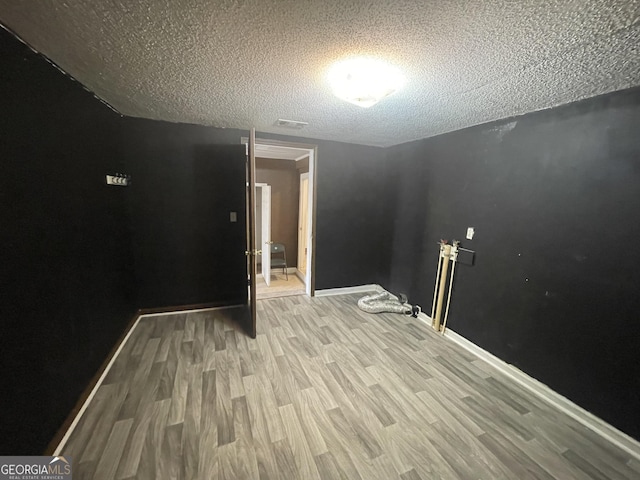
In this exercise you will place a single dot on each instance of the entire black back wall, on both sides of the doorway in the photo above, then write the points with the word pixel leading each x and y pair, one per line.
pixel 354 199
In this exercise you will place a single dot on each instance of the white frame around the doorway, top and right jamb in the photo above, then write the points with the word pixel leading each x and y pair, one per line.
pixel 312 151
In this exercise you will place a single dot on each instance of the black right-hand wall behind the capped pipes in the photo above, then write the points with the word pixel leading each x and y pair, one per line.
pixel 554 197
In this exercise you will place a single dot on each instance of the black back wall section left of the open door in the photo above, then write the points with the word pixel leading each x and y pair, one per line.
pixel 184 185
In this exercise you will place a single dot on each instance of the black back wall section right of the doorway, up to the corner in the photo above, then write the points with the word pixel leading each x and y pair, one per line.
pixel 354 202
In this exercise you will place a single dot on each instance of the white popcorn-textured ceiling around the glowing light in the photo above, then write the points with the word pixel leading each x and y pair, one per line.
pixel 244 63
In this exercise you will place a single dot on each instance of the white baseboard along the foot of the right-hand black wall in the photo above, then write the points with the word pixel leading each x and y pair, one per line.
pixel 542 391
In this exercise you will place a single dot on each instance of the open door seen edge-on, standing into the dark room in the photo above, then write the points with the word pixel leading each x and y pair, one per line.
pixel 251 252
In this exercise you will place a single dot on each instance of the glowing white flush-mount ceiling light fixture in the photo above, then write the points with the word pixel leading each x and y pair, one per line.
pixel 364 81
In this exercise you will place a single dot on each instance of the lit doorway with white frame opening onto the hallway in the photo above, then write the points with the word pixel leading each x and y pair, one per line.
pixel 284 218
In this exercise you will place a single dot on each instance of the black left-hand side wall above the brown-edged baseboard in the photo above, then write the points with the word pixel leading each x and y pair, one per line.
pixel 66 266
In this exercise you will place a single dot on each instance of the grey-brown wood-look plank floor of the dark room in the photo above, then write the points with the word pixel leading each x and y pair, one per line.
pixel 325 391
